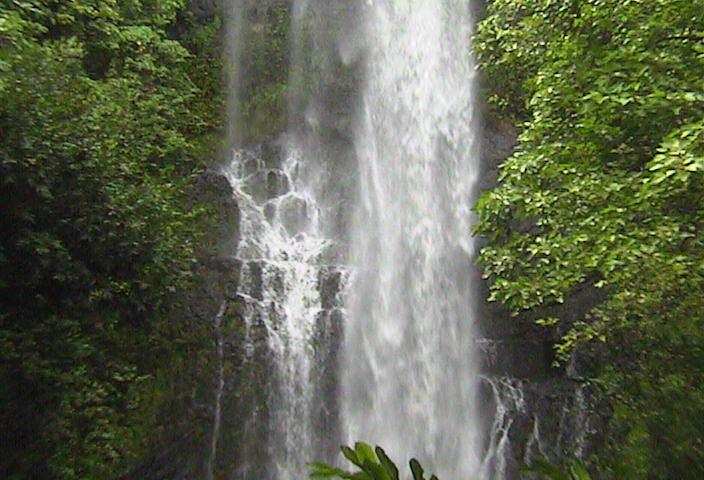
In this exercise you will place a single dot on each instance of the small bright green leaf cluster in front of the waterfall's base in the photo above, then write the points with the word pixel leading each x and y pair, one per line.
pixel 373 464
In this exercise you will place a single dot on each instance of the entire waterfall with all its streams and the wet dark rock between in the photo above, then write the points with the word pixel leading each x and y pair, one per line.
pixel 358 294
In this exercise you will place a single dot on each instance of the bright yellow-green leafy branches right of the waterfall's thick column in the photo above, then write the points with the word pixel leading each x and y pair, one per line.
pixel 606 191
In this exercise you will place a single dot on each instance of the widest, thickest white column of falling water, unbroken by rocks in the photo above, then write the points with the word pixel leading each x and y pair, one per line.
pixel 409 373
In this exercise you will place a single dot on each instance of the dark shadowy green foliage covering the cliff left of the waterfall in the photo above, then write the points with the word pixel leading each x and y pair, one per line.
pixel 108 110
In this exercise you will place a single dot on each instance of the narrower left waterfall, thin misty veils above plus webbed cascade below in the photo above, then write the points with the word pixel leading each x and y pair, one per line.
pixel 289 275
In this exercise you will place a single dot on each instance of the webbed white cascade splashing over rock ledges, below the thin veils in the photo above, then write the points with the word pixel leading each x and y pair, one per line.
pixel 281 250
